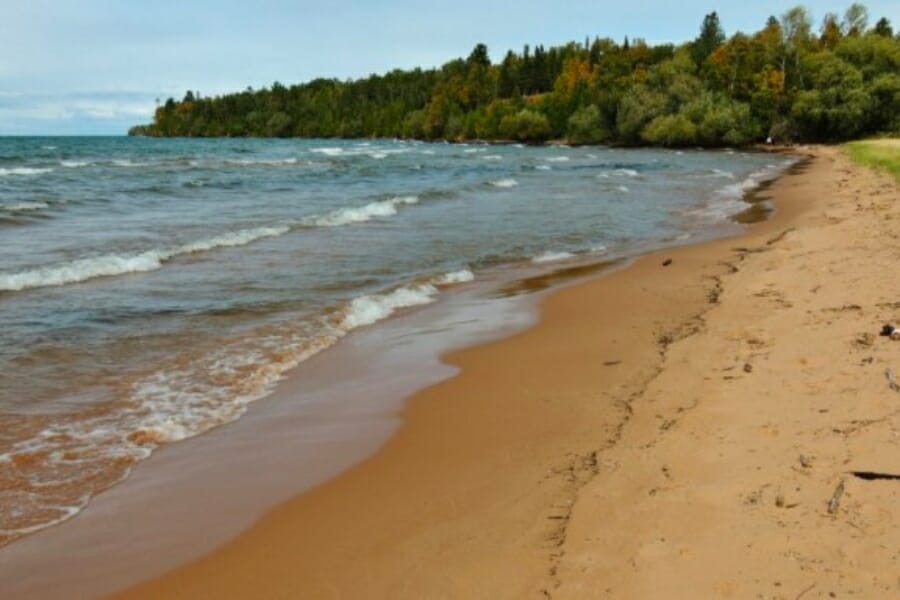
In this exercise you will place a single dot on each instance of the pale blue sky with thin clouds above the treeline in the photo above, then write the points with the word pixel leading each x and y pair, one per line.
pixel 96 67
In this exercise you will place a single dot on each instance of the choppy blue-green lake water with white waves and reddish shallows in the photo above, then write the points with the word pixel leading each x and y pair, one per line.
pixel 151 288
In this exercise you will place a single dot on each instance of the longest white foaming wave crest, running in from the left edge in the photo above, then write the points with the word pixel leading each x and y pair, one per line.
pixel 111 265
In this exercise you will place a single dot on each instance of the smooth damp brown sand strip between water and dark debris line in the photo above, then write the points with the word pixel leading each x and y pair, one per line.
pixel 457 502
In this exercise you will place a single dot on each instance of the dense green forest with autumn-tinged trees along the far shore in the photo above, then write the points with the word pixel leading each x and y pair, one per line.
pixel 792 80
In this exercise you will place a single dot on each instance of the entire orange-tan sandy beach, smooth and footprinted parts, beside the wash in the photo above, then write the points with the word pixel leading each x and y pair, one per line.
pixel 663 432
